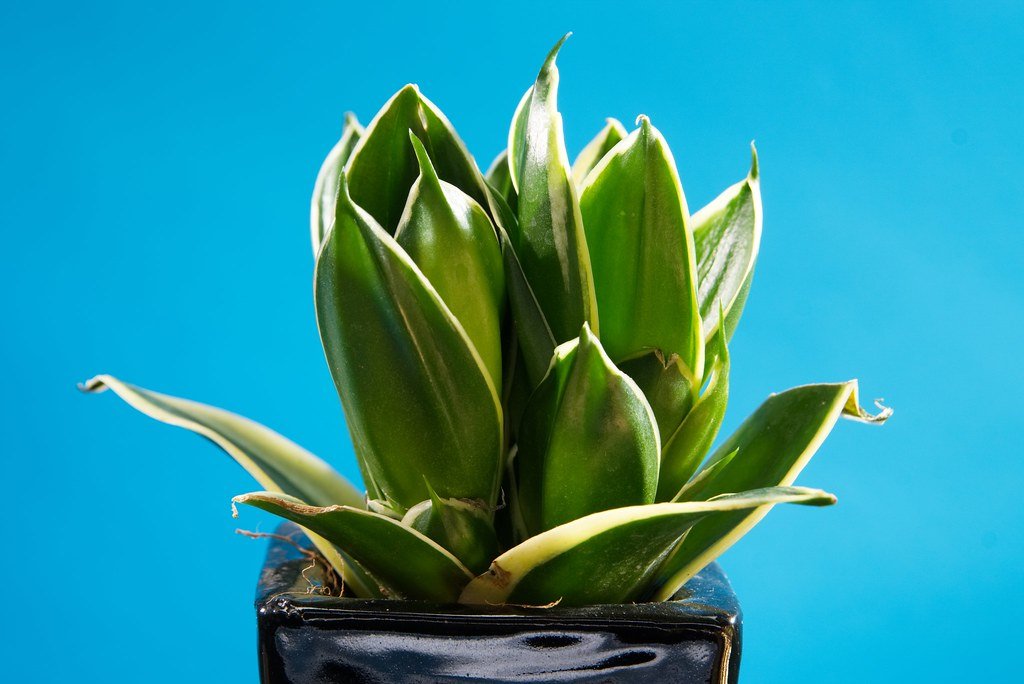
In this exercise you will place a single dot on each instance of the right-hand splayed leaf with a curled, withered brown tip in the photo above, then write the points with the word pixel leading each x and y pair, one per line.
pixel 773 447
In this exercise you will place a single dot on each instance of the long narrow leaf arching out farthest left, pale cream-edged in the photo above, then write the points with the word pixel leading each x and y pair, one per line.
pixel 274 461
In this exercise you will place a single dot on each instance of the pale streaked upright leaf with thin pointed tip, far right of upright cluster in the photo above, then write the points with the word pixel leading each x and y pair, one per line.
pixel 728 235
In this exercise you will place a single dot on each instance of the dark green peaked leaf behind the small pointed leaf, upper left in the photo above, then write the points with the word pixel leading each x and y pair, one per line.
pixel 383 166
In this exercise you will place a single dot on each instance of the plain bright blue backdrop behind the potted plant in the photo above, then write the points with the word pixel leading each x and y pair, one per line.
pixel 156 165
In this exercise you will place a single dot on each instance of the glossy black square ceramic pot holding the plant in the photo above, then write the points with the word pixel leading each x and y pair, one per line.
pixel 308 638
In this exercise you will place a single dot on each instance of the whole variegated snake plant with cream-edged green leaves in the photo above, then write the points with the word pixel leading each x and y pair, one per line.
pixel 534 365
